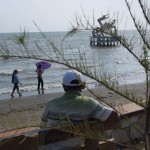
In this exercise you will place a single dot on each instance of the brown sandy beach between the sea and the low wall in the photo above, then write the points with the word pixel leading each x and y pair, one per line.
pixel 26 111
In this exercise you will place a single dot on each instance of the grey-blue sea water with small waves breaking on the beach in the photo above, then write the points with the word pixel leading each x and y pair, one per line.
pixel 116 61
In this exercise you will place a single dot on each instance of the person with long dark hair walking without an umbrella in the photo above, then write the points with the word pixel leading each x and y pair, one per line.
pixel 15 81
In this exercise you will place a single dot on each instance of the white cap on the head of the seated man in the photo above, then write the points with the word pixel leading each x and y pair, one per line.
pixel 72 78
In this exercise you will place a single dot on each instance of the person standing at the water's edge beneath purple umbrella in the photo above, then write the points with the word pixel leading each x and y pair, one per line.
pixel 40 71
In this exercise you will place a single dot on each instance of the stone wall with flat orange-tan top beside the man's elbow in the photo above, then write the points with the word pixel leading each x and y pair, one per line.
pixel 132 124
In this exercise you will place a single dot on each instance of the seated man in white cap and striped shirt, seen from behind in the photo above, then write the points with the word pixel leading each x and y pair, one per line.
pixel 76 106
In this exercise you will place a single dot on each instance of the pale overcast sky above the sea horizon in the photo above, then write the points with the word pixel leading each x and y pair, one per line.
pixel 56 15
